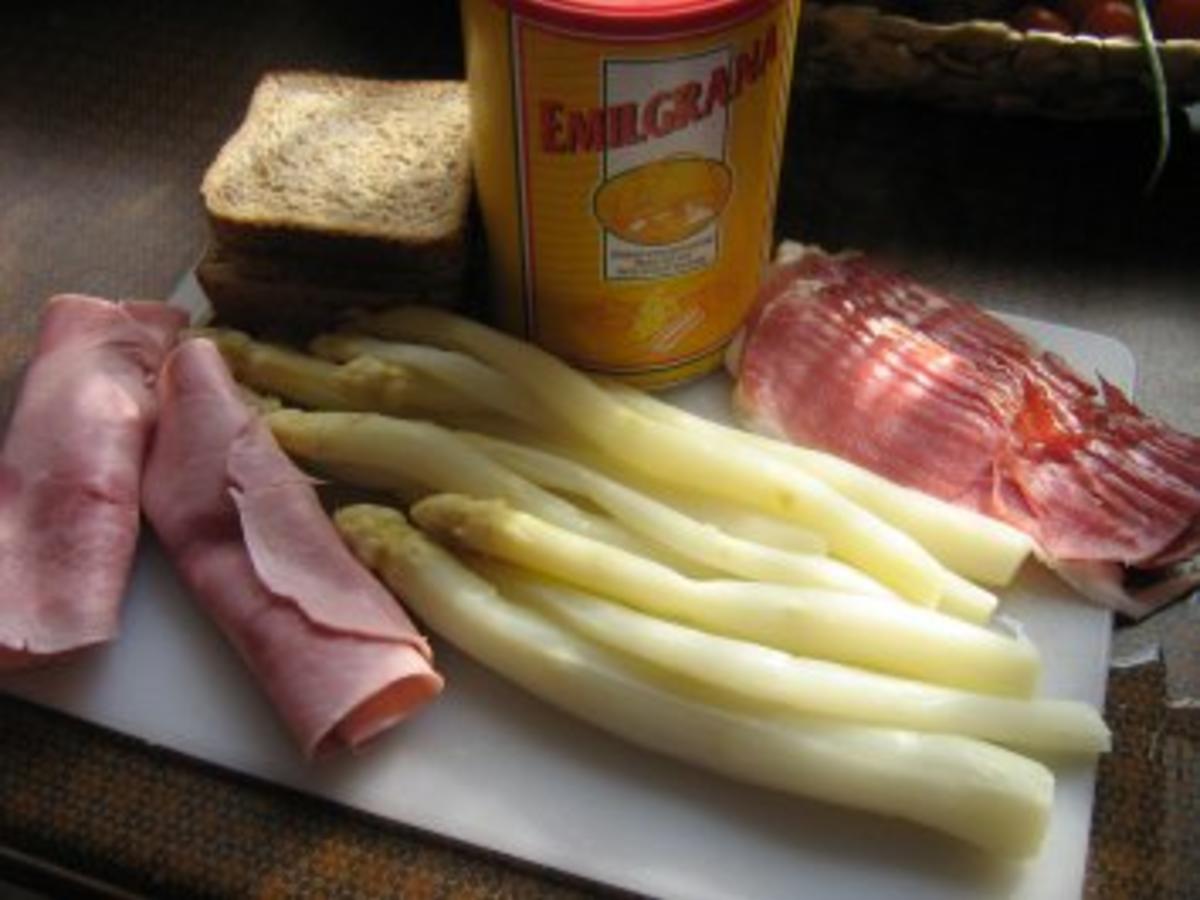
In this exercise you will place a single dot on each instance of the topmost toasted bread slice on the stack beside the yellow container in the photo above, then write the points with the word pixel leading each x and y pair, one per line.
pixel 349 169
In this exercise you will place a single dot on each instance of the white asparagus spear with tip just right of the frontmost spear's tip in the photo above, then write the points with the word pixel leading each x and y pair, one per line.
pixel 881 634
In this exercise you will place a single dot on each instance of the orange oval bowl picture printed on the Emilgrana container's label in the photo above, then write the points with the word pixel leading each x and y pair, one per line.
pixel 665 201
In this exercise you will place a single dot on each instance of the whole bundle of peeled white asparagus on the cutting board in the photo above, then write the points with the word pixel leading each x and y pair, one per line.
pixel 767 611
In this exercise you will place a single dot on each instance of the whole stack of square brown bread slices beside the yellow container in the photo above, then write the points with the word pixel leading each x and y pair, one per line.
pixel 338 194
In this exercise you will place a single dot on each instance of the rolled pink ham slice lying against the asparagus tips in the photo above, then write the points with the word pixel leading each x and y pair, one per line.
pixel 333 650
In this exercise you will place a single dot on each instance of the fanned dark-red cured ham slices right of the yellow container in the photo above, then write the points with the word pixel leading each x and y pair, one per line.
pixel 937 394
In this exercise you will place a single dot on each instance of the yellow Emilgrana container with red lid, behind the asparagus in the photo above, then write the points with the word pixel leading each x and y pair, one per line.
pixel 627 161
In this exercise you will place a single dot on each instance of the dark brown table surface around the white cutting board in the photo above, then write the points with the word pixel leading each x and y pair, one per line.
pixel 109 117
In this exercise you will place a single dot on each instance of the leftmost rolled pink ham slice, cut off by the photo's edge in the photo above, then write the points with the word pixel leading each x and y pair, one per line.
pixel 70 473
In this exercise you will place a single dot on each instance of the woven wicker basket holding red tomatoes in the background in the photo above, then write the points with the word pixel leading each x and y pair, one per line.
pixel 986 65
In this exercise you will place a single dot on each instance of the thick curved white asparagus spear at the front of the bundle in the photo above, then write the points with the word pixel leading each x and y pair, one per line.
pixel 975 791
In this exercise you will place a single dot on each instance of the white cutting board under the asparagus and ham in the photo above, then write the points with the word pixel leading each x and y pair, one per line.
pixel 491 767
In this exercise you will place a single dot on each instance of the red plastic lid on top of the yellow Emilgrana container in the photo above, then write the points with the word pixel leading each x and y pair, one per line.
pixel 638 19
